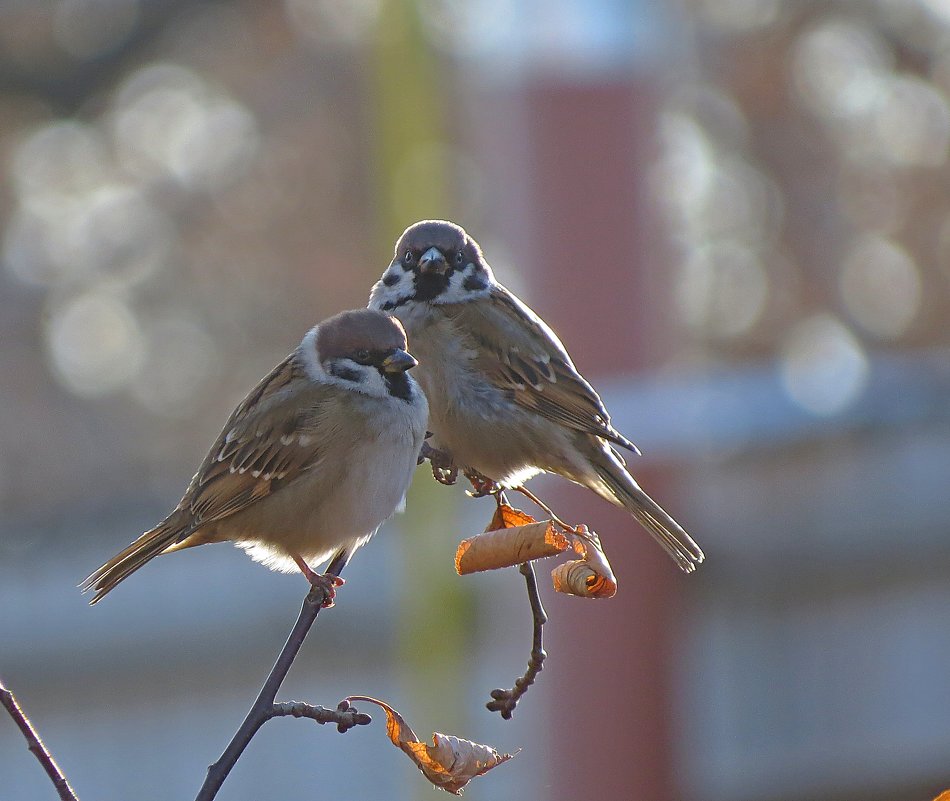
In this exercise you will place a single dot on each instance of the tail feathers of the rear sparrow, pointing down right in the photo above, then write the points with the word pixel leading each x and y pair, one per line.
pixel 618 486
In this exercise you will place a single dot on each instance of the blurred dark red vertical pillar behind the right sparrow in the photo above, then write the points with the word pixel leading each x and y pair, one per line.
pixel 578 149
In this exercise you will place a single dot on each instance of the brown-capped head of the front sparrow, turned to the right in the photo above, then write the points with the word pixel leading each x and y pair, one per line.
pixel 363 350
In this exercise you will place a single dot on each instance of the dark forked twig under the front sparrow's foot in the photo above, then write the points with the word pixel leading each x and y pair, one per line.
pixel 264 708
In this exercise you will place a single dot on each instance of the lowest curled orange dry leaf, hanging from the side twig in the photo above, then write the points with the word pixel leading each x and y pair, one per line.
pixel 450 762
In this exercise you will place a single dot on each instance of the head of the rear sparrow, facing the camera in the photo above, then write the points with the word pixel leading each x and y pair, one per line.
pixel 435 262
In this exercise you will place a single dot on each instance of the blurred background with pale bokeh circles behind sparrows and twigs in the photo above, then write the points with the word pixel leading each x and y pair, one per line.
pixel 735 212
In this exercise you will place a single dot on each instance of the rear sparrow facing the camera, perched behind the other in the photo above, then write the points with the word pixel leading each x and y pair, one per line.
pixel 505 400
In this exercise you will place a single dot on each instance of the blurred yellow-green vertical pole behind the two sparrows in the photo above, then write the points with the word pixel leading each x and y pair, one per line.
pixel 435 610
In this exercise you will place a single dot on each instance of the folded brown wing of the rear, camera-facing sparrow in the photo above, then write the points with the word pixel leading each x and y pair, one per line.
pixel 522 355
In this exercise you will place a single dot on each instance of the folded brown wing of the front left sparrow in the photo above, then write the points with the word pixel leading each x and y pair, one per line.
pixel 273 437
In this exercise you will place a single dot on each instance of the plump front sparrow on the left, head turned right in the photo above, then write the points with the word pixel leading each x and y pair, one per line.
pixel 316 457
